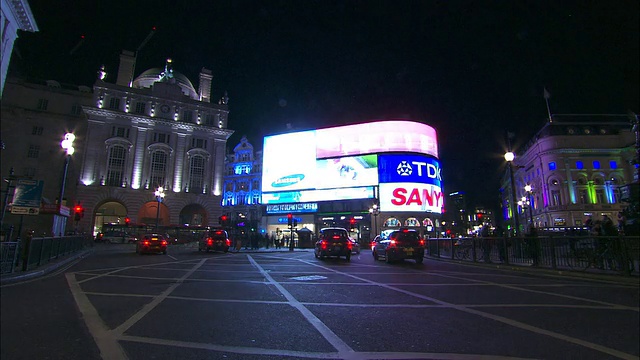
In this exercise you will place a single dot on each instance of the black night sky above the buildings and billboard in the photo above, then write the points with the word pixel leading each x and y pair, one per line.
pixel 471 69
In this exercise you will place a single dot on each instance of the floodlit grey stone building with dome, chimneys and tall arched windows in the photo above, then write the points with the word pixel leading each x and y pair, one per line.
pixel 150 132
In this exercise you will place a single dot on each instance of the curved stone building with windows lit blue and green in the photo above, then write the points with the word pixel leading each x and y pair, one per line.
pixel 575 167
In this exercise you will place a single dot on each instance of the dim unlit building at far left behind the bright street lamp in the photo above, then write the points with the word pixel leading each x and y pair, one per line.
pixel 35 115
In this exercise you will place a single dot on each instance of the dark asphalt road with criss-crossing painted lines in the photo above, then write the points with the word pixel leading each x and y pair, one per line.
pixel 115 304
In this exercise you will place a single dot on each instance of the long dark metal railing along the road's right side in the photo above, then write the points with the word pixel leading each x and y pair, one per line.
pixel 613 254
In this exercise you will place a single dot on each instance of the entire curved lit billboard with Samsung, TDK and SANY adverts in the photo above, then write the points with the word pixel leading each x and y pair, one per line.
pixel 398 157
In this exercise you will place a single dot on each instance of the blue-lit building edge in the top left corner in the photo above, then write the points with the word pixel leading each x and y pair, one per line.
pixel 14 15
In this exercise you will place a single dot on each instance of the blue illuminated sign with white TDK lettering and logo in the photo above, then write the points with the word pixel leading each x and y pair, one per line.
pixel 409 168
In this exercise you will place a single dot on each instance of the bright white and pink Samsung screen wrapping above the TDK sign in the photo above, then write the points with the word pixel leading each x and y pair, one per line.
pixel 338 163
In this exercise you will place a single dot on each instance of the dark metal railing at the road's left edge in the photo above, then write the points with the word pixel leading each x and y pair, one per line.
pixel 30 253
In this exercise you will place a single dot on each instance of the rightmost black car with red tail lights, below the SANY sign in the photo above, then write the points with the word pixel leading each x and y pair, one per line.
pixel 401 244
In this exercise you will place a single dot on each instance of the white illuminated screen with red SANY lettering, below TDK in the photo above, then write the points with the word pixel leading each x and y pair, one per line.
pixel 409 197
